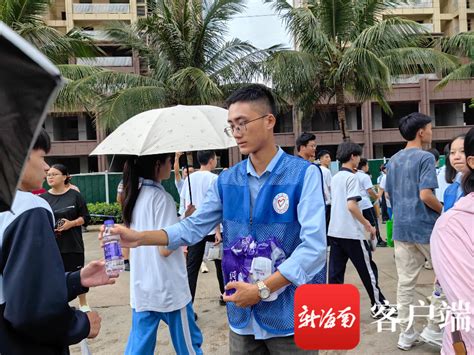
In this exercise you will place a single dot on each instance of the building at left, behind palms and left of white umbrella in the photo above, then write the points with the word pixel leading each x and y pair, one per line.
pixel 74 135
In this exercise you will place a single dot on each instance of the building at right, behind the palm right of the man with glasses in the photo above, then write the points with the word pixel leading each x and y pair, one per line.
pixel 368 124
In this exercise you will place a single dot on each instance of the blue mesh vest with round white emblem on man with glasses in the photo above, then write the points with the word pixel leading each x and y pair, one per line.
pixel 287 178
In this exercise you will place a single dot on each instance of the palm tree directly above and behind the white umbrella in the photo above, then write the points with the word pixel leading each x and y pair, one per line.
pixel 183 43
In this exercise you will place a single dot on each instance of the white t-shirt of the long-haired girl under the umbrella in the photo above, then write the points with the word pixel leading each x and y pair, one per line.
pixel 157 283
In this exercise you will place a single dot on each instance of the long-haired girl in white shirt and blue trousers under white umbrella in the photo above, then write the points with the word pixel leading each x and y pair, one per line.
pixel 158 280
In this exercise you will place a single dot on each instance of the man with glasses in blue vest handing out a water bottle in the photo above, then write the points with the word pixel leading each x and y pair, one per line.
pixel 273 198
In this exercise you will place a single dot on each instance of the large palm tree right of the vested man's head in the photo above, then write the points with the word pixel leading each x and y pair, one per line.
pixel 346 48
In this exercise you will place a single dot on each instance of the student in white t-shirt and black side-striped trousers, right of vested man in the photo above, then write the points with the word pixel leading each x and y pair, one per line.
pixel 347 229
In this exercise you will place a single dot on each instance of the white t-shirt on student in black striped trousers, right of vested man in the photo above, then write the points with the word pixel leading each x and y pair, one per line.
pixel 345 187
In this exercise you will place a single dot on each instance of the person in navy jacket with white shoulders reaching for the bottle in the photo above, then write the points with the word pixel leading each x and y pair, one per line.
pixel 35 316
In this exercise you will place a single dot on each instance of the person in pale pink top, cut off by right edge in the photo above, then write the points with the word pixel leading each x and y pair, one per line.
pixel 452 250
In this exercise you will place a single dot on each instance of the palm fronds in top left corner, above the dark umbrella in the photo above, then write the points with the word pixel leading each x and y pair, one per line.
pixel 26 18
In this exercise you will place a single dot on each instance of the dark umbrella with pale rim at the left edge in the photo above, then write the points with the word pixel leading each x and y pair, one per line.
pixel 28 83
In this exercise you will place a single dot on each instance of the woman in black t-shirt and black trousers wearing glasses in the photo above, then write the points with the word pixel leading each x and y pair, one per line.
pixel 70 212
